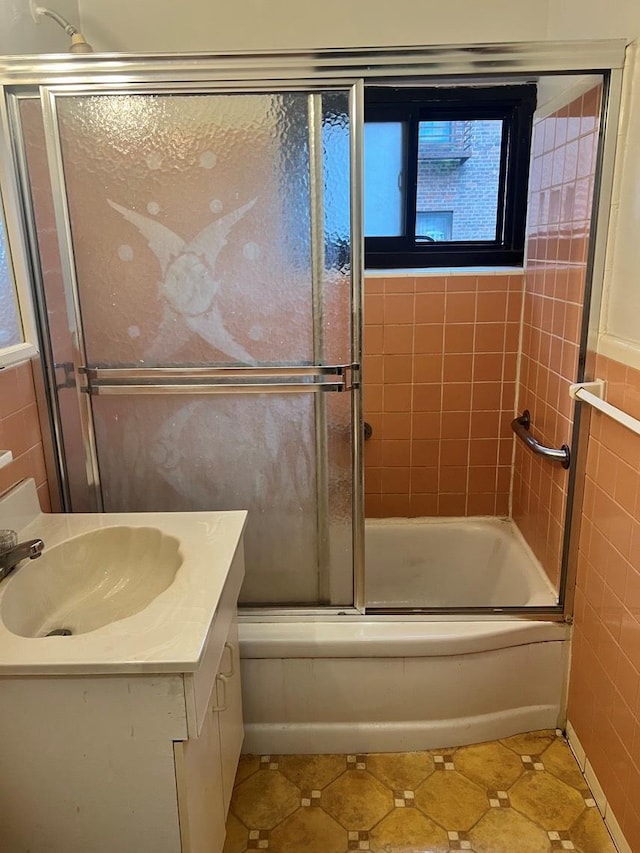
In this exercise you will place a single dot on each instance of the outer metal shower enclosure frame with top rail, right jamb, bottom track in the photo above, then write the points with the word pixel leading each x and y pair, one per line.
pixel 264 70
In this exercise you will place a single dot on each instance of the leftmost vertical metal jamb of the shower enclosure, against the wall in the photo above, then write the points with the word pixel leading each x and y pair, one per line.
pixel 46 380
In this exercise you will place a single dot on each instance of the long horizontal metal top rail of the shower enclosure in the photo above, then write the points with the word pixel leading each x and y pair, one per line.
pixel 370 63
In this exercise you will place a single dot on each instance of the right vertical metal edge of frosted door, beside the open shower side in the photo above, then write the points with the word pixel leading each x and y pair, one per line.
pixel 356 111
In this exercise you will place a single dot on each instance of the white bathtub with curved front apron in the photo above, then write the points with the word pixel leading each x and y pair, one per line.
pixel 386 683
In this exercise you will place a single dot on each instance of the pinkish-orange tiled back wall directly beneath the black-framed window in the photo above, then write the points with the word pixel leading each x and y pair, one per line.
pixel 440 358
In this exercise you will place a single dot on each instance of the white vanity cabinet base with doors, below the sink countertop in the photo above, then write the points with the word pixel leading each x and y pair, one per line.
pixel 125 762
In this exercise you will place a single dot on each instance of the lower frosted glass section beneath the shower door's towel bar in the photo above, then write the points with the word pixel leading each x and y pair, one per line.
pixel 252 452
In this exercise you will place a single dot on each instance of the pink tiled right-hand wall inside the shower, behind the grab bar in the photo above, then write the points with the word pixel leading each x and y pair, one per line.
pixel 560 196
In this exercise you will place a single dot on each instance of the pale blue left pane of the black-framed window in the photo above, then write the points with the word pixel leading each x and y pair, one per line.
pixel 384 178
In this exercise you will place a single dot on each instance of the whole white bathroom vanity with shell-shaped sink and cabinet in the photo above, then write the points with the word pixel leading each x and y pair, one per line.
pixel 124 737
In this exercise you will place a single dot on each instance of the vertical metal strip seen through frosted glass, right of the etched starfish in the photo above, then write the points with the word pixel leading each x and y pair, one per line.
pixel 316 213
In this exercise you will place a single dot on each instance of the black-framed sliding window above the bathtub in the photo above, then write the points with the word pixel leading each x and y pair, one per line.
pixel 446 170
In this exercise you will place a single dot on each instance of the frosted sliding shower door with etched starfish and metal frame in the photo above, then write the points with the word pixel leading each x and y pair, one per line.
pixel 205 250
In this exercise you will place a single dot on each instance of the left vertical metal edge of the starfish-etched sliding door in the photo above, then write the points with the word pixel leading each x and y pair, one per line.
pixel 67 260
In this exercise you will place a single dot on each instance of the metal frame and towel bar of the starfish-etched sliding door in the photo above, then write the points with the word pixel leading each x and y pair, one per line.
pixel 231 380
